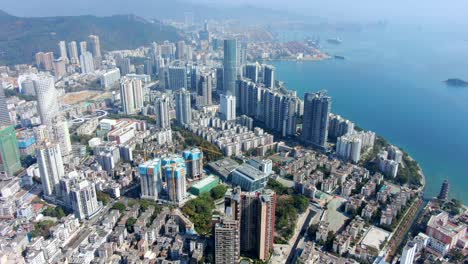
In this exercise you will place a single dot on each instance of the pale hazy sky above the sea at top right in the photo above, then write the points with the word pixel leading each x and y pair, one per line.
pixel 443 10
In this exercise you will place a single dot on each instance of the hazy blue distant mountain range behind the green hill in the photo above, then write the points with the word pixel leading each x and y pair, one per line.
pixel 159 9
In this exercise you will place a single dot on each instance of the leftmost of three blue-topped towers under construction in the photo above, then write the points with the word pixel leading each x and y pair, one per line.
pixel 150 179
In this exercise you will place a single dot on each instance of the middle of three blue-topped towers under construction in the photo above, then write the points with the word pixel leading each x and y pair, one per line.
pixel 175 173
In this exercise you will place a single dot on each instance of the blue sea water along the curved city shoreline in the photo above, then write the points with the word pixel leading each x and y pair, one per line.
pixel 391 82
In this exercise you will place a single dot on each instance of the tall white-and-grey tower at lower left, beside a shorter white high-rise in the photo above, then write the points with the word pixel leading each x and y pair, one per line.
pixel 51 170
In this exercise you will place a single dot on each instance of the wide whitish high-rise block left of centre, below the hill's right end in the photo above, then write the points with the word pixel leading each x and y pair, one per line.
pixel 131 94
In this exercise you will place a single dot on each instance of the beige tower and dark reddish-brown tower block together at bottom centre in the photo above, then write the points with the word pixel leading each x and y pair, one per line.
pixel 247 228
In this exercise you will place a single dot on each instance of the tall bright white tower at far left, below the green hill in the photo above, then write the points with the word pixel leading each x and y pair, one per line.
pixel 46 94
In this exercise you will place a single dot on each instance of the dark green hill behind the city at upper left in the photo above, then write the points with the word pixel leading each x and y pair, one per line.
pixel 21 38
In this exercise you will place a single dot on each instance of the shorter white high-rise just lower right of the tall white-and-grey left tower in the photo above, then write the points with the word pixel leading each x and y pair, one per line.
pixel 83 199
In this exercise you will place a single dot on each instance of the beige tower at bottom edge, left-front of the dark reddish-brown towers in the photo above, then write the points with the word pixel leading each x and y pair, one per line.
pixel 227 241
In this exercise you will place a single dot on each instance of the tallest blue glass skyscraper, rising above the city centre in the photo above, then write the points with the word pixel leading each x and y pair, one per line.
pixel 230 65
